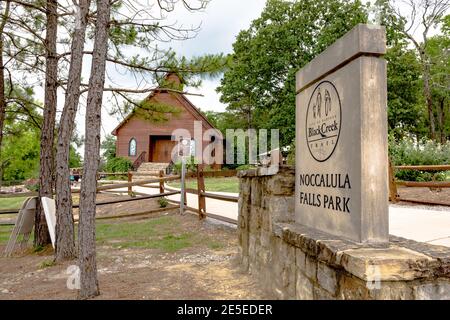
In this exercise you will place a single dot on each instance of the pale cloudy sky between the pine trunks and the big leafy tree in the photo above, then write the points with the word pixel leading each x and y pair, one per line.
pixel 219 24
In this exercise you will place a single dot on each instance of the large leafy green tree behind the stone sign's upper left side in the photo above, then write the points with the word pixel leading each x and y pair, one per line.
pixel 259 86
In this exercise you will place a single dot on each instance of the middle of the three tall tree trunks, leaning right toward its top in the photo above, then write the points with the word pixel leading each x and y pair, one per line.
pixel 65 234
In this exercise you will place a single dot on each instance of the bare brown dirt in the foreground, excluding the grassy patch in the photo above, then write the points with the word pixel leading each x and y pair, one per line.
pixel 196 272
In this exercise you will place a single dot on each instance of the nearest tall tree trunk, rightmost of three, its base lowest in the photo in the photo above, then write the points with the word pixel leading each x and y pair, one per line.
pixel 86 233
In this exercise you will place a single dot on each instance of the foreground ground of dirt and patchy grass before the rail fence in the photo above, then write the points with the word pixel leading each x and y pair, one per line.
pixel 164 257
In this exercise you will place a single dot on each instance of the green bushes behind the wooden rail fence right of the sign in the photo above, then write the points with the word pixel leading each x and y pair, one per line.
pixel 408 152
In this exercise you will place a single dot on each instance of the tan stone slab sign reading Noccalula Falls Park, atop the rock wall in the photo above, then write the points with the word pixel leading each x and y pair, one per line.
pixel 341 138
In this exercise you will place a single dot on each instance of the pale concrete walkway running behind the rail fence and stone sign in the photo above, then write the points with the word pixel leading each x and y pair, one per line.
pixel 417 223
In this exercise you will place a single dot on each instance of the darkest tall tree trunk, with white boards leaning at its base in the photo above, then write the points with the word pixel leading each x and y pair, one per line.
pixel 46 177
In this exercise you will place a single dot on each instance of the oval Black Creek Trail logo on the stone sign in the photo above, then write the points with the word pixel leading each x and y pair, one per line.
pixel 323 121
